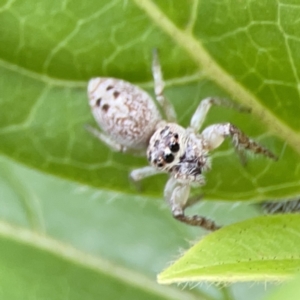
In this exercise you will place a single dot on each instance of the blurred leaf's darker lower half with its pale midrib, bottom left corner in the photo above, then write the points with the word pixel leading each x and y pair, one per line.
pixel 53 270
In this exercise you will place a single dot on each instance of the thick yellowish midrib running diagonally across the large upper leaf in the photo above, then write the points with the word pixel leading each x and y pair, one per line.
pixel 194 48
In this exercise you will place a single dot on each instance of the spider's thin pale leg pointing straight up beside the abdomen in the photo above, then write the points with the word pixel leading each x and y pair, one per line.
pixel 159 89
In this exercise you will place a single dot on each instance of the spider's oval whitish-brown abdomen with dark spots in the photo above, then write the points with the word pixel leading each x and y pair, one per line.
pixel 124 112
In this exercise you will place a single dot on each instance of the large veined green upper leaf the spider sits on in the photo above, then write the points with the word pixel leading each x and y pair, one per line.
pixel 51 51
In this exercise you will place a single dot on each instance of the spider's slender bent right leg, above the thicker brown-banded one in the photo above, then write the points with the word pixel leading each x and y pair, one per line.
pixel 200 114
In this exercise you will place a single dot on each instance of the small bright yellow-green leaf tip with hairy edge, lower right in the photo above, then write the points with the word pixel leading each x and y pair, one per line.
pixel 260 249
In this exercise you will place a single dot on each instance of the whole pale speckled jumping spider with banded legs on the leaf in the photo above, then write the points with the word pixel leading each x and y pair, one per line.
pixel 131 122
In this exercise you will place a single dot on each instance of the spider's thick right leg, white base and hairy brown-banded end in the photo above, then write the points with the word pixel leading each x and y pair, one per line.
pixel 214 136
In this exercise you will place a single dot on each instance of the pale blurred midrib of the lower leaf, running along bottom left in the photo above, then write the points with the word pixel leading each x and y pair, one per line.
pixel 87 261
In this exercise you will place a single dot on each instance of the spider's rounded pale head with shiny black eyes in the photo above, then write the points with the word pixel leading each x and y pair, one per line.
pixel 166 146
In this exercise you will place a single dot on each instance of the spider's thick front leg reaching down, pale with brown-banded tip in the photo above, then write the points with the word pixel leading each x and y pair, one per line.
pixel 177 196
